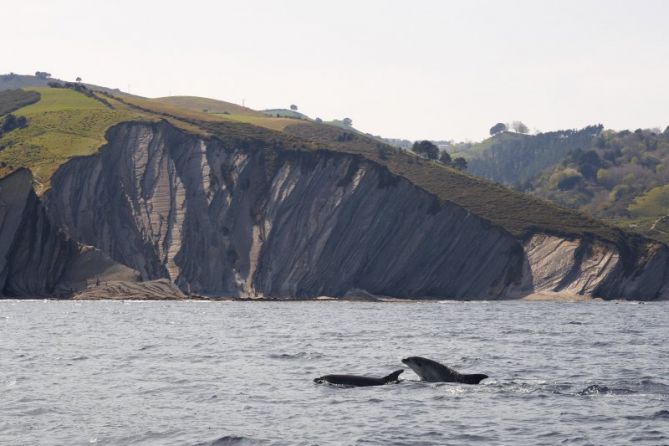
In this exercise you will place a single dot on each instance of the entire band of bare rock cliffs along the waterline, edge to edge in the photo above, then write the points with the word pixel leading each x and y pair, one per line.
pixel 218 218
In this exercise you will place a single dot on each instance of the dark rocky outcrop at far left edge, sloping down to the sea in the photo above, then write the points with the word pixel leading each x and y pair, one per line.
pixel 36 258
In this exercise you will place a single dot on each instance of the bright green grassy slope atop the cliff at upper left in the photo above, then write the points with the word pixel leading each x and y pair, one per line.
pixel 64 123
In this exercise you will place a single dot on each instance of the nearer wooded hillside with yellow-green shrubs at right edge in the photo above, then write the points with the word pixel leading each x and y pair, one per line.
pixel 621 177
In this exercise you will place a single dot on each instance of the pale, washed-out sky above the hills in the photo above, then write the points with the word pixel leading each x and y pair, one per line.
pixel 418 69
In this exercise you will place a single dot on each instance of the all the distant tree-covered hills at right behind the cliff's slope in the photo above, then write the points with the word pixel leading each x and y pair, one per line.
pixel 619 177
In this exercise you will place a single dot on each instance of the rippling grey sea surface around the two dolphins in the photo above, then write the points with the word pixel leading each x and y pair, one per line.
pixel 234 373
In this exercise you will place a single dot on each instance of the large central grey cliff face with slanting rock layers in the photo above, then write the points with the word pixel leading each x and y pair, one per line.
pixel 220 219
